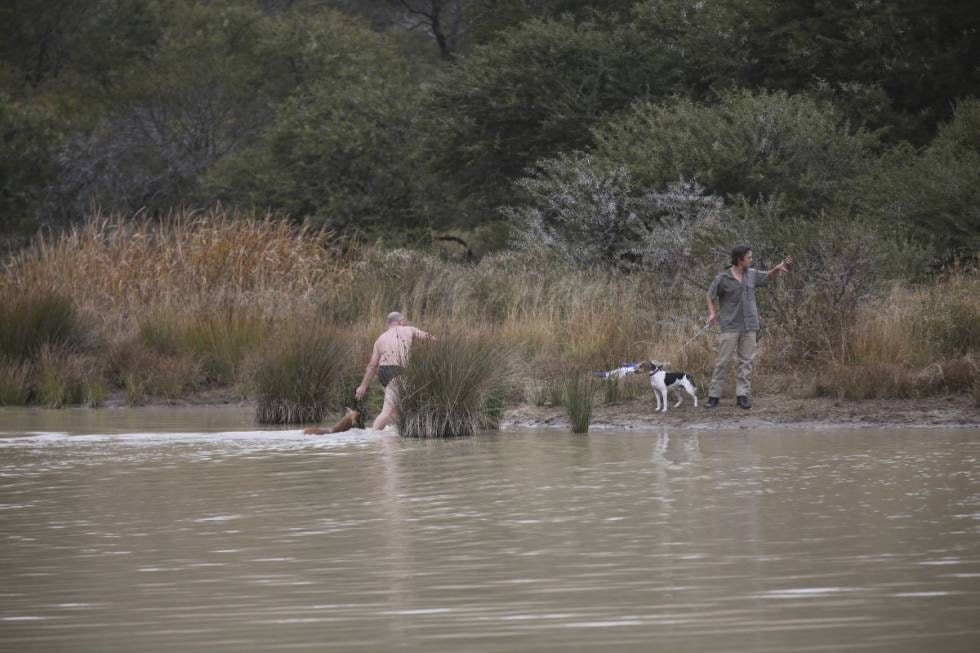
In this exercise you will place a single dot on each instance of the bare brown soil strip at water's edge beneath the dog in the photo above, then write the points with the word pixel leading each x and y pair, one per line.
pixel 767 412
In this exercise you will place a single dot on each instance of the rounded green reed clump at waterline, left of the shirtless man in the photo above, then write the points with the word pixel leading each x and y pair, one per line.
pixel 301 375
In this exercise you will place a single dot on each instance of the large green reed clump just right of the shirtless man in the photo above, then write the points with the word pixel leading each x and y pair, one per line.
pixel 454 386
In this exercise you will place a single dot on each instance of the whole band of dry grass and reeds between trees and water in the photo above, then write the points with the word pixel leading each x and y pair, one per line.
pixel 157 311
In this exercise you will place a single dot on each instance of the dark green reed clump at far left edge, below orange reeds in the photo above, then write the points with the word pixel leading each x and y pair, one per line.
pixel 30 321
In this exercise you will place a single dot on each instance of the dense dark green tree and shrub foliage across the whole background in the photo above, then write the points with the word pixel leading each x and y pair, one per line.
pixel 396 118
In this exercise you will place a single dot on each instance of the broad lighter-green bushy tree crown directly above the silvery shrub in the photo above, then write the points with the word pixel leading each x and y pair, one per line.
pixel 763 145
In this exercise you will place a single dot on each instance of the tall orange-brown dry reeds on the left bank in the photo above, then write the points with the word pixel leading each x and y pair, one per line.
pixel 117 265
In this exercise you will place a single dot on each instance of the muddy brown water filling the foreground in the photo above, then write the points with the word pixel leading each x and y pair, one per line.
pixel 189 530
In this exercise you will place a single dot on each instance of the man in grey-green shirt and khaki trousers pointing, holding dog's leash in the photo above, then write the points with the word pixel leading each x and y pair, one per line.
pixel 734 289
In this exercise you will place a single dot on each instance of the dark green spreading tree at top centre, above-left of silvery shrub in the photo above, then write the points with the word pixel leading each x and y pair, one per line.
pixel 535 92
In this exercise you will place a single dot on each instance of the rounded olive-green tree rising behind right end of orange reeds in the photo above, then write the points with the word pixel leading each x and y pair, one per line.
pixel 336 147
